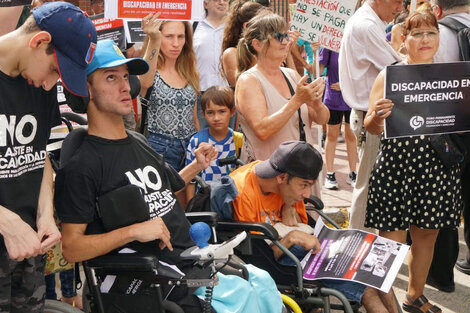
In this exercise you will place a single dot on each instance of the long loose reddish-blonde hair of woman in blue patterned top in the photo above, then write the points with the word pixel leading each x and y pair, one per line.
pixel 186 61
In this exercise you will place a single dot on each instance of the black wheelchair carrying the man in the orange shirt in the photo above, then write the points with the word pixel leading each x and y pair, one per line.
pixel 254 250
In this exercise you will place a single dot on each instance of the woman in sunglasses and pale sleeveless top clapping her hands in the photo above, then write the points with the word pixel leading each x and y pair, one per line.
pixel 269 112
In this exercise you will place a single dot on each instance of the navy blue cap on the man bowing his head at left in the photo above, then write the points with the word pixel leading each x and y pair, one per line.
pixel 74 39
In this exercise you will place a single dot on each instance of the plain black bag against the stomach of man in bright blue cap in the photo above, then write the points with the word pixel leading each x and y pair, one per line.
pixel 121 207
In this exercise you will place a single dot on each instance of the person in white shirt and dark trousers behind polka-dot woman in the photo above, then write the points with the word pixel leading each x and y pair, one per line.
pixel 446 251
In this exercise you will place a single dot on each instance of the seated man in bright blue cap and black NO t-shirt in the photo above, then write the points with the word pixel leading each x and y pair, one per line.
pixel 108 160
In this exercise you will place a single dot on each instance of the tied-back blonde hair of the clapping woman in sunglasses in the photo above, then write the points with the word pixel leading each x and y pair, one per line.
pixel 261 27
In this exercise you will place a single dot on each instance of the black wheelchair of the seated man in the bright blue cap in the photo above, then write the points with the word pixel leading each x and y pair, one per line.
pixel 139 265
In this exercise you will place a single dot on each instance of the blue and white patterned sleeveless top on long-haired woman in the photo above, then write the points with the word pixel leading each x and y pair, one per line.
pixel 170 110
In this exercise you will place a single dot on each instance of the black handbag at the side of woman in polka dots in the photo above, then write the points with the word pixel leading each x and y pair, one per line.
pixel 450 149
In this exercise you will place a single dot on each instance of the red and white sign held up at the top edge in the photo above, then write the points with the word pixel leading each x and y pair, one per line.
pixel 182 10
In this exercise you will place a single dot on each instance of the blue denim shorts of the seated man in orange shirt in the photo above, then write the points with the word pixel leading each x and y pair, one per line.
pixel 352 290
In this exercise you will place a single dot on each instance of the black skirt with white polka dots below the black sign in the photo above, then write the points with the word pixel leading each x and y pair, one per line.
pixel 409 185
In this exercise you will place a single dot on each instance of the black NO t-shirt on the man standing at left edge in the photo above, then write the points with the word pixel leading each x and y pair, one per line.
pixel 27 115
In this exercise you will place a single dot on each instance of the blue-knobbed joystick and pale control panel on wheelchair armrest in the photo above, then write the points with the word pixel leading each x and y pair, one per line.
pixel 204 252
